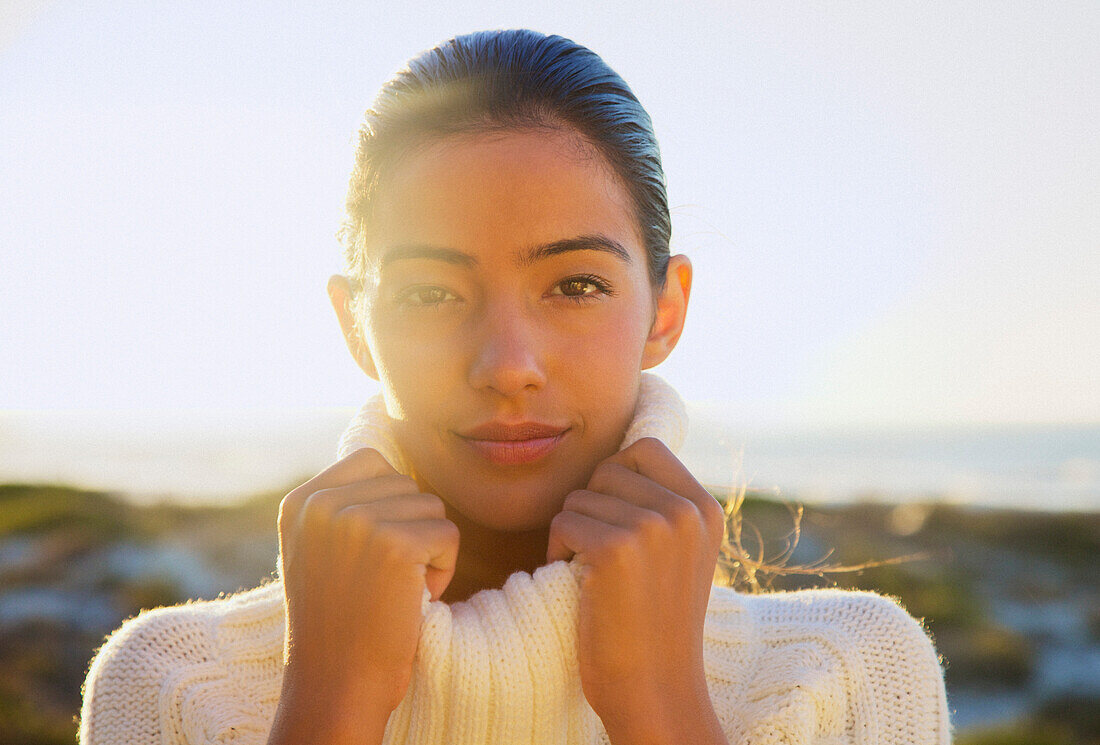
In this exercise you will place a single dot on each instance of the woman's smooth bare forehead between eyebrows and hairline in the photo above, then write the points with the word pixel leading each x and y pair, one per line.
pixel 502 192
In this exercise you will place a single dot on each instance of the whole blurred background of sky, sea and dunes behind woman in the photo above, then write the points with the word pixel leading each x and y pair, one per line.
pixel 894 213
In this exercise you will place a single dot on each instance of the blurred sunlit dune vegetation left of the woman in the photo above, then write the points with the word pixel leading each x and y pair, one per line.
pixel 74 565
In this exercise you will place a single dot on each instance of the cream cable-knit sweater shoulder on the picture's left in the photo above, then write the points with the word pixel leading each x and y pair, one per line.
pixel 197 673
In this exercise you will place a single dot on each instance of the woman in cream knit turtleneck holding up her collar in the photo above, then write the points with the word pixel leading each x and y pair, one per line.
pixel 508 551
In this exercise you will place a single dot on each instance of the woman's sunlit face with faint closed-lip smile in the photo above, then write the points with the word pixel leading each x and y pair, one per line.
pixel 509 317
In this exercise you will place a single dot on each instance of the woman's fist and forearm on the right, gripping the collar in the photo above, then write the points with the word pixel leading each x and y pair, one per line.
pixel 647 538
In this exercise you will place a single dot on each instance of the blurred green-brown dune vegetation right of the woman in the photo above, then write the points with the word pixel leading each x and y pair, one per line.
pixel 1000 591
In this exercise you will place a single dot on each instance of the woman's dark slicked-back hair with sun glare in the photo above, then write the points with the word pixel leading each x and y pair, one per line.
pixel 503 80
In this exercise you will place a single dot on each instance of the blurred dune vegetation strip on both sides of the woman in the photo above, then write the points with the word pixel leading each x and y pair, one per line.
pixel 75 564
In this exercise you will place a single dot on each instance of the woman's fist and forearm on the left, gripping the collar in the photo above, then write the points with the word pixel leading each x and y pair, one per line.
pixel 359 544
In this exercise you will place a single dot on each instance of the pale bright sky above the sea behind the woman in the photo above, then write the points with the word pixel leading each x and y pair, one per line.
pixel 894 210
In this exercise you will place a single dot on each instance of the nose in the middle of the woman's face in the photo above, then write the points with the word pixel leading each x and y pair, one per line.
pixel 509 355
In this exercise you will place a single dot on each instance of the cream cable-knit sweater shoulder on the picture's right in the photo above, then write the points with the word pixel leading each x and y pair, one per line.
pixel 853 666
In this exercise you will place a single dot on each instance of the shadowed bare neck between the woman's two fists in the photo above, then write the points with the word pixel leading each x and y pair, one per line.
pixel 488 557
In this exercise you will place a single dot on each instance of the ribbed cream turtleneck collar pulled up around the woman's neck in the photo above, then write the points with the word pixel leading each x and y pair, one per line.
pixel 491 666
